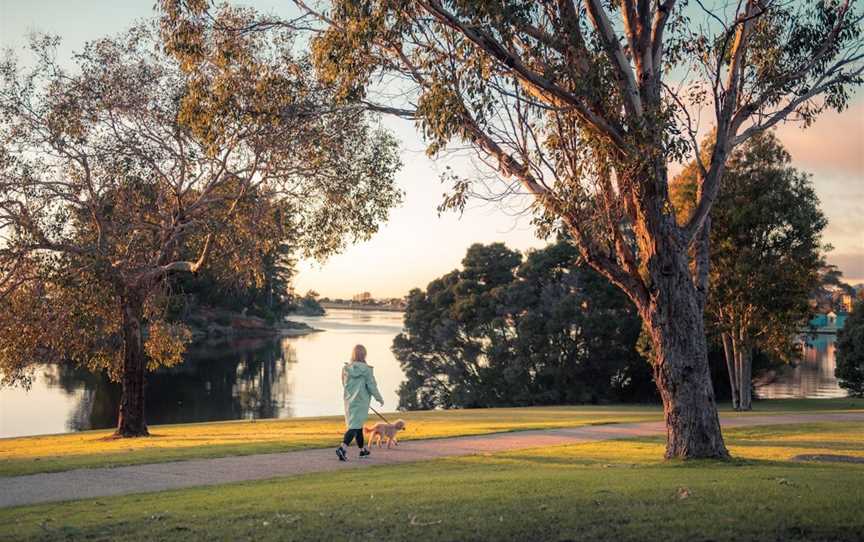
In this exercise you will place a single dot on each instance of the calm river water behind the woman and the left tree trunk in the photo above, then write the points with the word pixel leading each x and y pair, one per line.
pixel 274 378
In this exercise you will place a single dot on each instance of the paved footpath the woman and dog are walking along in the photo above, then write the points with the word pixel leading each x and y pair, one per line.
pixel 104 482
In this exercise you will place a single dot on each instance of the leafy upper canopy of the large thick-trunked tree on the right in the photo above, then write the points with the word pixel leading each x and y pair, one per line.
pixel 464 67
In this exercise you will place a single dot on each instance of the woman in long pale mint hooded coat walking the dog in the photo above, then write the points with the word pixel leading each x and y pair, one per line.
pixel 358 382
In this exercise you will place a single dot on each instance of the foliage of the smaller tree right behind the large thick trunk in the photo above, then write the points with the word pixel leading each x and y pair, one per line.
pixel 766 242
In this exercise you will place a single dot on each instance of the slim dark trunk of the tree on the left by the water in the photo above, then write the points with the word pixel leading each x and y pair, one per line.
pixel 131 419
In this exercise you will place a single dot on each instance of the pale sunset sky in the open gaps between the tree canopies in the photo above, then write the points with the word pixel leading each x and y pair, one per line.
pixel 417 245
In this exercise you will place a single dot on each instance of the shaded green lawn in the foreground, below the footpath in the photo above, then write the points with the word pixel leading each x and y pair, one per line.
pixel 614 490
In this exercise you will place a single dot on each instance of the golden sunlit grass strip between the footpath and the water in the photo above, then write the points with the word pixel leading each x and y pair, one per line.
pixel 189 441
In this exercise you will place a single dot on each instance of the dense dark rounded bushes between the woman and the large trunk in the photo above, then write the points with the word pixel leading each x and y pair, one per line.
pixel 506 332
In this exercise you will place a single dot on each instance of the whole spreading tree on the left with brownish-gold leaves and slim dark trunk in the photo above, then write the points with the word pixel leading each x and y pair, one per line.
pixel 122 169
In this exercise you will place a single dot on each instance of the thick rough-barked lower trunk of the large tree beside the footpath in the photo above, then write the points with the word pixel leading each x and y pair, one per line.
pixel 681 367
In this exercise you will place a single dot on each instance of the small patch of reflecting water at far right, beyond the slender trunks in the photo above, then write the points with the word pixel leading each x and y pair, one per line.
pixel 812 377
